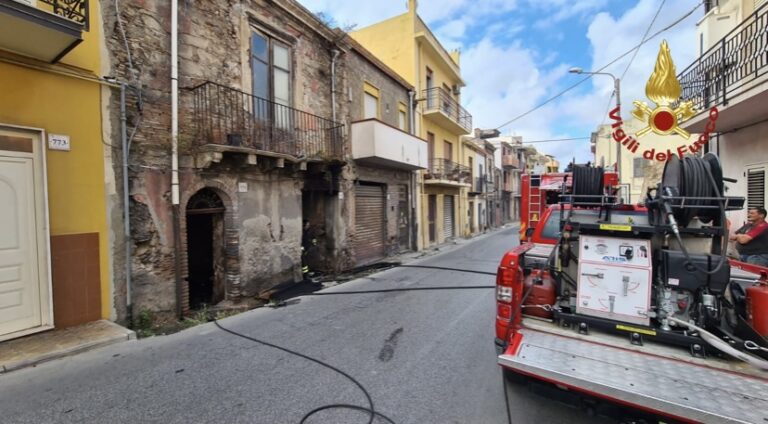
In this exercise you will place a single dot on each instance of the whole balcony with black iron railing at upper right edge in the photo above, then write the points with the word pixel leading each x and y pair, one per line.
pixel 731 75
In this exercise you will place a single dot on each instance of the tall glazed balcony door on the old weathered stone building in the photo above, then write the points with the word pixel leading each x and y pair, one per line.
pixel 271 74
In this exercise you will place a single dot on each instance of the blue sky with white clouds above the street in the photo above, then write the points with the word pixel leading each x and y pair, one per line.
pixel 515 54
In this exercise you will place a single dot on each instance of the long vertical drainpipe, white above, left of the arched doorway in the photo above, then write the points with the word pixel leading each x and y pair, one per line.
pixel 175 149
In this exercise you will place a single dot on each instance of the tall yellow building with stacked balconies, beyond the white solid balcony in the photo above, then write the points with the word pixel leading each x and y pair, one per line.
pixel 406 44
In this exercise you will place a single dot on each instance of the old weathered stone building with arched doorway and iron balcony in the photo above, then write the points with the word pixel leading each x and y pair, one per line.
pixel 260 150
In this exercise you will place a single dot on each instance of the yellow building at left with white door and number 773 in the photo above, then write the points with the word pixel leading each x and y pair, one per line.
pixel 53 185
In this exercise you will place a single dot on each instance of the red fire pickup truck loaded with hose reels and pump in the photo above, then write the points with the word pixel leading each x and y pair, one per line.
pixel 639 305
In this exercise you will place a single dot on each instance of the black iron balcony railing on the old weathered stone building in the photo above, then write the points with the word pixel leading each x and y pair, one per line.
pixel 228 116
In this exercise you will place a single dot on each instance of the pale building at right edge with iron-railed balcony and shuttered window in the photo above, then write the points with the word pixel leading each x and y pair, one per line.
pixel 731 74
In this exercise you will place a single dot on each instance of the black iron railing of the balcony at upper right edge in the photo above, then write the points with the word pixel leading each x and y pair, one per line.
pixel 731 67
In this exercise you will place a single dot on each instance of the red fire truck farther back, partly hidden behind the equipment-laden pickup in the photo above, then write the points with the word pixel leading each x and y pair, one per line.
pixel 539 191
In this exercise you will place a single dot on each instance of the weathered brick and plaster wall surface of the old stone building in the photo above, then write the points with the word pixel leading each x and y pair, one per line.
pixel 214 38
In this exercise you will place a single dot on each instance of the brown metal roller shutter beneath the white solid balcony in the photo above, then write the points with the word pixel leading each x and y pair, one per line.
pixel 370 221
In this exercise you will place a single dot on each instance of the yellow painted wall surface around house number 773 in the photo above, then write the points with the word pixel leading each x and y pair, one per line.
pixel 65 105
